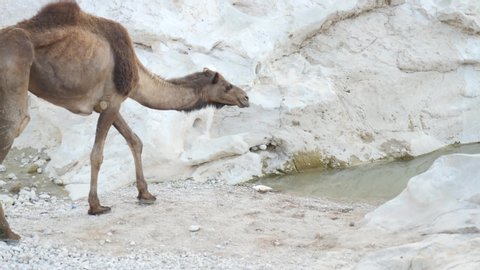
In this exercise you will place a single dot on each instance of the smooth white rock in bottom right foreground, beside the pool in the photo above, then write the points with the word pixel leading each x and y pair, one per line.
pixel 439 211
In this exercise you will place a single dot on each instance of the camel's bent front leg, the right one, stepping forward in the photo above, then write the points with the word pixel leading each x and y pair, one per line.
pixel 136 147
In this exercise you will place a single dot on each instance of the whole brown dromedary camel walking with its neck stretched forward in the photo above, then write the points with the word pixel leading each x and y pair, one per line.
pixel 84 63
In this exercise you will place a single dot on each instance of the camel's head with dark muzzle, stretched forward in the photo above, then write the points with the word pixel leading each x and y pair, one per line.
pixel 220 92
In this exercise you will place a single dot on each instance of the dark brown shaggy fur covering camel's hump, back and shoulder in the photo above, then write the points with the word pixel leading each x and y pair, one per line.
pixel 68 13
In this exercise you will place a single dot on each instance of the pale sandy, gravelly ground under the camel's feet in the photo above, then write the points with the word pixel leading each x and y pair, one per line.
pixel 239 228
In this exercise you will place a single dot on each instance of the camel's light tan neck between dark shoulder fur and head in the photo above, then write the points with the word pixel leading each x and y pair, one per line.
pixel 160 94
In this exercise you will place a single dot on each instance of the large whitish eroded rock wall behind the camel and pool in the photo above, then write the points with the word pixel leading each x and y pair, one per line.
pixel 354 81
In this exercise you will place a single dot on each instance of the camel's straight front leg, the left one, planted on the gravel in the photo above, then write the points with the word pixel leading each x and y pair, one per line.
pixel 104 123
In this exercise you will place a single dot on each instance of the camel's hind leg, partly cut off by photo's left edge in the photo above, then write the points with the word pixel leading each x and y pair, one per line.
pixel 16 57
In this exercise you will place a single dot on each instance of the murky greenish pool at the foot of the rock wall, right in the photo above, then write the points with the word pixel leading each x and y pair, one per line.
pixel 373 183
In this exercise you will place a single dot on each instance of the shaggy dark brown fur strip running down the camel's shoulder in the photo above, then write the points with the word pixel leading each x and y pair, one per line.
pixel 125 74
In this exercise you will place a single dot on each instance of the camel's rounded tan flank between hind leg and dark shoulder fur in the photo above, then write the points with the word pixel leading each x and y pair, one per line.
pixel 71 69
